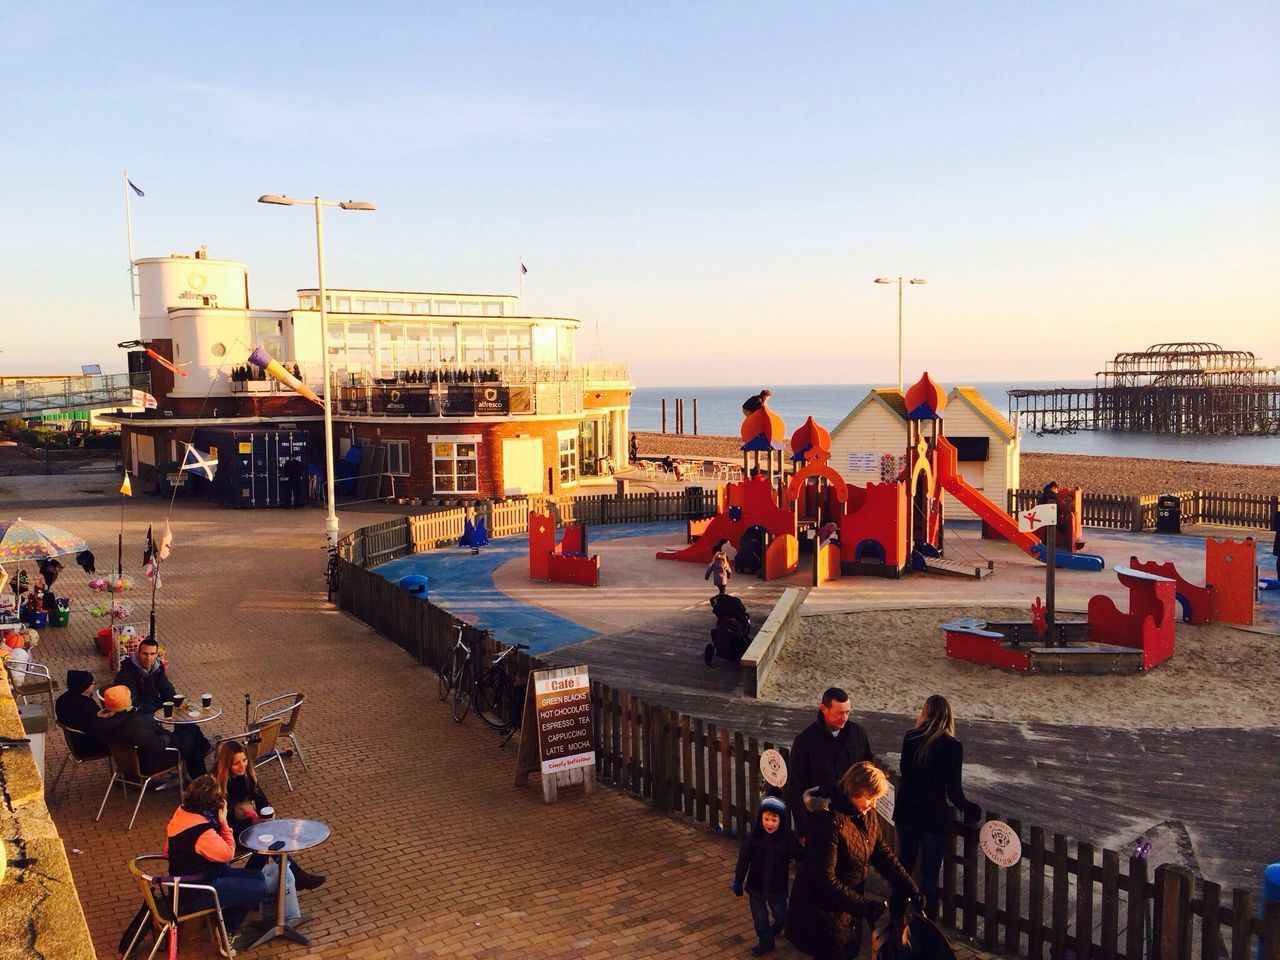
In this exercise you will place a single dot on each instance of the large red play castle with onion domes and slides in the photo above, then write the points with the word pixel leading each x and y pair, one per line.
pixel 885 529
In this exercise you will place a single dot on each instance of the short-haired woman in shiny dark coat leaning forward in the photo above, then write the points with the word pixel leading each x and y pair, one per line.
pixel 843 839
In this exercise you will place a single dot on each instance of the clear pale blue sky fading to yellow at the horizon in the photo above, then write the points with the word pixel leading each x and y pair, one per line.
pixel 711 189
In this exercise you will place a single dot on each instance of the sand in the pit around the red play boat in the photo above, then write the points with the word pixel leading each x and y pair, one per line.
pixel 890 660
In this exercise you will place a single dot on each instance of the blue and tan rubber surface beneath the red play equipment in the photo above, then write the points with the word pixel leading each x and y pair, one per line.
pixel 493 591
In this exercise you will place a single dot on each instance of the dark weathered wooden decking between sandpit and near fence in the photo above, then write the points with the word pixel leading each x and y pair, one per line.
pixel 1094 784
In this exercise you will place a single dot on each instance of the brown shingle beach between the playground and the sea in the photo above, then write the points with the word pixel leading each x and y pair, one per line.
pixel 1118 476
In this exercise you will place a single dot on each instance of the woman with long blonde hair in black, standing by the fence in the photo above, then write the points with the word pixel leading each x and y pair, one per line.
pixel 932 764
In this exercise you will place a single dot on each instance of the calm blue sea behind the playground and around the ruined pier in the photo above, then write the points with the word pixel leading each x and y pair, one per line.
pixel 720 413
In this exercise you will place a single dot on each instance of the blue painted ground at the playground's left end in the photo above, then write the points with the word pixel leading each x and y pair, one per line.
pixel 463 583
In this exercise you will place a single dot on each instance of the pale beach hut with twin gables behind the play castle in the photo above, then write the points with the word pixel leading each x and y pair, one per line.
pixel 870 445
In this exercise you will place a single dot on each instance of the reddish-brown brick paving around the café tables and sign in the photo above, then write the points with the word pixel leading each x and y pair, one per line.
pixel 435 853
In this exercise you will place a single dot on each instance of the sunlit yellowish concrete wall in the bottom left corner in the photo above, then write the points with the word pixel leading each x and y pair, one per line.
pixel 40 913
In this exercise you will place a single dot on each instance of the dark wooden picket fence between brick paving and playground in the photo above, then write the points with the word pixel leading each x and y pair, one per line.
pixel 1064 900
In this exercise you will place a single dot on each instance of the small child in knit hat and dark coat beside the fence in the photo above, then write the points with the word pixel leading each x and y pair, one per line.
pixel 764 871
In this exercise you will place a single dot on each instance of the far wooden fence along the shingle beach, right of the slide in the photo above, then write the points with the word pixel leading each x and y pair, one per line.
pixel 1139 514
